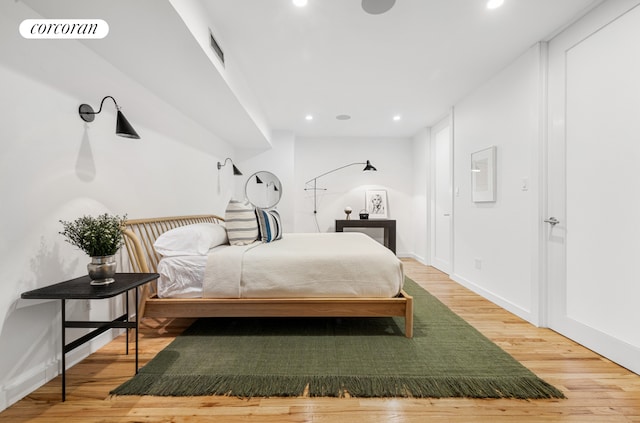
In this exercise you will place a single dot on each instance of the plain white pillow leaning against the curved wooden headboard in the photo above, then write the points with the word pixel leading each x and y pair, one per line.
pixel 191 240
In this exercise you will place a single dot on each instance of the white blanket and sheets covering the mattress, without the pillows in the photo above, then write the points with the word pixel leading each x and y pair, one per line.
pixel 348 264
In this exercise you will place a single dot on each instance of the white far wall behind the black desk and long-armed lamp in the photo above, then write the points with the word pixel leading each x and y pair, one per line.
pixel 392 157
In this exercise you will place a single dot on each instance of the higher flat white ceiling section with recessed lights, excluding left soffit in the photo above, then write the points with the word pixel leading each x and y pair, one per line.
pixel 417 60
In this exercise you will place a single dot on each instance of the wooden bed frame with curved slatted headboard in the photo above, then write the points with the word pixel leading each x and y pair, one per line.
pixel 140 234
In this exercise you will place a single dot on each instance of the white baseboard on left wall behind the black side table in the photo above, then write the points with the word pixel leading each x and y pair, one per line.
pixel 31 379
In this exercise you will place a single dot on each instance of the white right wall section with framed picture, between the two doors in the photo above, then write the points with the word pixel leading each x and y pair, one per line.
pixel 495 244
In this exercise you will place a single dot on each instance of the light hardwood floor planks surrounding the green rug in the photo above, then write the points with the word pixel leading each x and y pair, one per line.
pixel 597 390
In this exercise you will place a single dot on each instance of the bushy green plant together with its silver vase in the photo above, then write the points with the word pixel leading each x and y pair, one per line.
pixel 100 237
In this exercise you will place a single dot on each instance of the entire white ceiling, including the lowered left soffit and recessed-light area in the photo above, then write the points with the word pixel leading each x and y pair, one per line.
pixel 329 58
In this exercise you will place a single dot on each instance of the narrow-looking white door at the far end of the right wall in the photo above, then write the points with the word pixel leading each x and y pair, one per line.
pixel 442 197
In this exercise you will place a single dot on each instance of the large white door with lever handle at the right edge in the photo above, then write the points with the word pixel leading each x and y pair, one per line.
pixel 593 188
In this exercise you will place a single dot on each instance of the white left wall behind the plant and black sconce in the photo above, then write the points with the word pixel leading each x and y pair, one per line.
pixel 54 166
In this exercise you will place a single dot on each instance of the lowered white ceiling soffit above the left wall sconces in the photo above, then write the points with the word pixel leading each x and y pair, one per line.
pixel 149 41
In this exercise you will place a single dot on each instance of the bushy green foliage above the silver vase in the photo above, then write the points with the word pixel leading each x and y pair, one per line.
pixel 96 236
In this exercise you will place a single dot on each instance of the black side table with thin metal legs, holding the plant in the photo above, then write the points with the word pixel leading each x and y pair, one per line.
pixel 81 289
